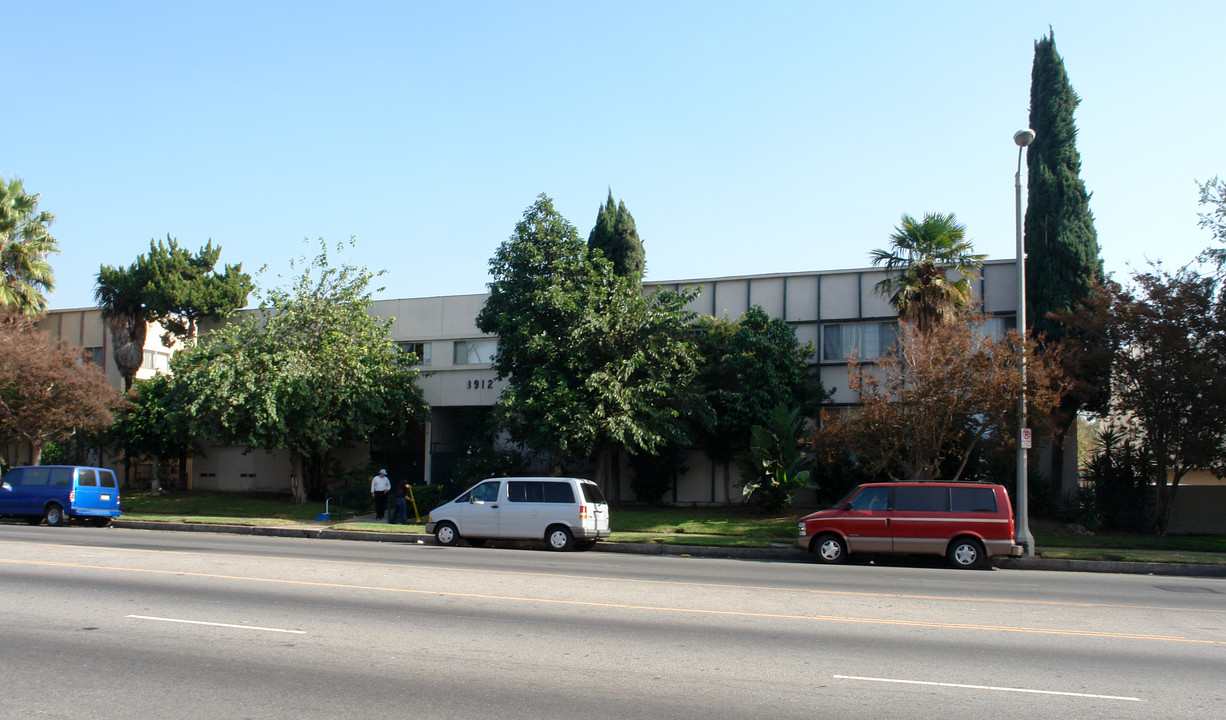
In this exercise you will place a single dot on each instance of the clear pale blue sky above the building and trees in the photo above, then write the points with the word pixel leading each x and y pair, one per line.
pixel 745 138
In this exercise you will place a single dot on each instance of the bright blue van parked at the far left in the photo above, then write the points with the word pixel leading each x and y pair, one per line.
pixel 57 494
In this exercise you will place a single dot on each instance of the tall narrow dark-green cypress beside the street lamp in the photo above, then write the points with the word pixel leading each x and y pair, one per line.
pixel 1064 267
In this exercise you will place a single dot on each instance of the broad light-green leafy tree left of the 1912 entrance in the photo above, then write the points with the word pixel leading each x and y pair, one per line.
pixel 310 372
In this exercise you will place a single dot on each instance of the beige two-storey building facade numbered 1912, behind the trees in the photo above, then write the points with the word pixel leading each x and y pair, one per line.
pixel 838 312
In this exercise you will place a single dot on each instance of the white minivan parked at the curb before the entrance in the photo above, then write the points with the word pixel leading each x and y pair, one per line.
pixel 565 512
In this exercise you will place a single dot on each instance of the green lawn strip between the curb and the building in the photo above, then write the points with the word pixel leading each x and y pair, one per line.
pixel 709 527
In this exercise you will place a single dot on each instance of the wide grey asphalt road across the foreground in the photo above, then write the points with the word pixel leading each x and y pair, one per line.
pixel 131 624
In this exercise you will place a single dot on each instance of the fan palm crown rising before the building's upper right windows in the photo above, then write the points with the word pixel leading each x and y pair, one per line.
pixel 916 266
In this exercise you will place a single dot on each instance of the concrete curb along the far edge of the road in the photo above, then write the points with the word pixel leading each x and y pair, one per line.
pixel 747 554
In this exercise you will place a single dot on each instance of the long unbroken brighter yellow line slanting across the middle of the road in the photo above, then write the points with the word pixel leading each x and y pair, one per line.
pixel 628 607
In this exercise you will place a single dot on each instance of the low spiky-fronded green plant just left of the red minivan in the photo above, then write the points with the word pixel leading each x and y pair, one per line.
pixel 775 467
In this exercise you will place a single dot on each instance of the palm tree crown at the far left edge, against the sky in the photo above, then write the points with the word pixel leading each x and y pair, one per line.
pixel 25 245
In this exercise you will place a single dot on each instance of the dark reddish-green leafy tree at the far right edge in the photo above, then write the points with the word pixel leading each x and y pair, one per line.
pixel 1170 377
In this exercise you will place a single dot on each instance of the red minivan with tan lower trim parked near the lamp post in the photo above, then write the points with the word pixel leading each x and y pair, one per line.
pixel 965 522
